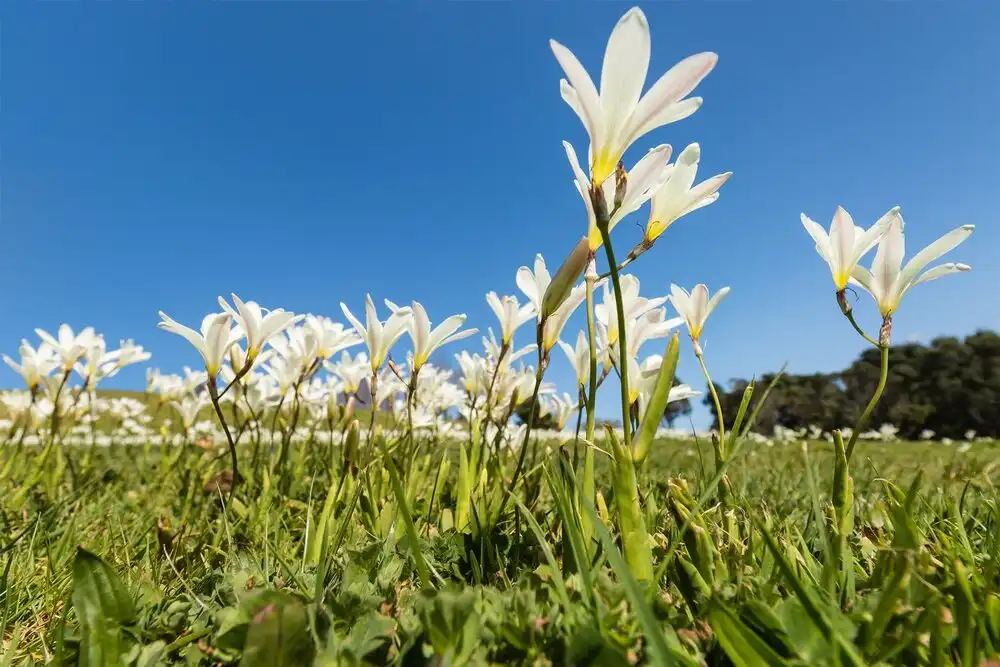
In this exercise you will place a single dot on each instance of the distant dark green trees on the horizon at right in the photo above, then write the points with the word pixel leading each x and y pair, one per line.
pixel 950 387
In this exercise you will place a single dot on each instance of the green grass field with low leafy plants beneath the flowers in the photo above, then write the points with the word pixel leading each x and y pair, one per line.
pixel 144 561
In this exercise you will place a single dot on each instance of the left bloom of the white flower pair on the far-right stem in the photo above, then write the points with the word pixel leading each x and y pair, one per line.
pixel 846 243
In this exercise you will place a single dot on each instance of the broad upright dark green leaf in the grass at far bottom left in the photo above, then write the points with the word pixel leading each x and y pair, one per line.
pixel 102 605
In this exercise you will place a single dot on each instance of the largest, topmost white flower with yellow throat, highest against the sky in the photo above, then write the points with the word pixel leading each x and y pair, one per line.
pixel 620 114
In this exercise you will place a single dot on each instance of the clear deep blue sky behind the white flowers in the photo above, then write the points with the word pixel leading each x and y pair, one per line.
pixel 156 155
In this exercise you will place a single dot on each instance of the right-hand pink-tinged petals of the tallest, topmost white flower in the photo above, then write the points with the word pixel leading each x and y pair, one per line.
pixel 664 102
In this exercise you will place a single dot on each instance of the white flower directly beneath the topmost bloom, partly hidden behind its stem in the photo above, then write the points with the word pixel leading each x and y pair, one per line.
pixel 645 178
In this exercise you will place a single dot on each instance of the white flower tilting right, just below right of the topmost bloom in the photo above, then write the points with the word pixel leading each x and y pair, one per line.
pixel 676 197
